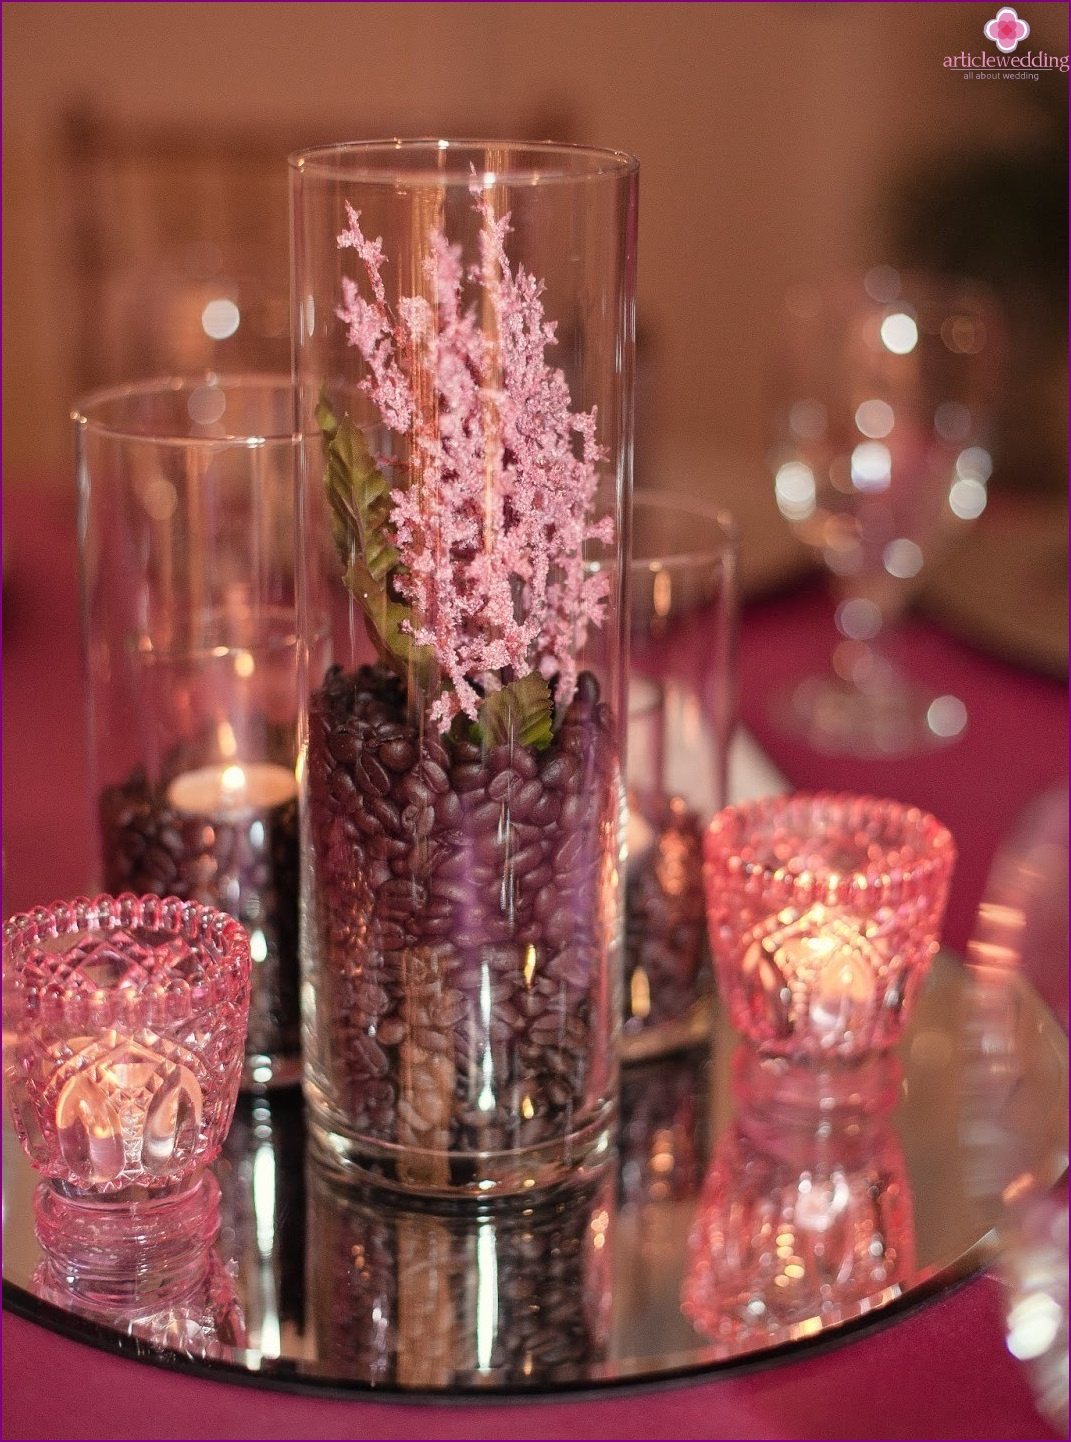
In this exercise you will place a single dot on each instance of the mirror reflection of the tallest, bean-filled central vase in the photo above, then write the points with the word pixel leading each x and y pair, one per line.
pixel 425 1297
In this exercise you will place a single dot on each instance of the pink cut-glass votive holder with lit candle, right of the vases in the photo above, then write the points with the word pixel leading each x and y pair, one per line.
pixel 825 914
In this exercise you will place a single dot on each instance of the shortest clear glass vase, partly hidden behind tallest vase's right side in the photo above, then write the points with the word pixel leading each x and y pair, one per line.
pixel 681 713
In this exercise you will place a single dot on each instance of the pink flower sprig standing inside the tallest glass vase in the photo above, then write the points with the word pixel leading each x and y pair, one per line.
pixel 492 528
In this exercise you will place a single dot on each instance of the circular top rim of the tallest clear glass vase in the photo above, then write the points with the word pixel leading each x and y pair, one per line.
pixel 367 162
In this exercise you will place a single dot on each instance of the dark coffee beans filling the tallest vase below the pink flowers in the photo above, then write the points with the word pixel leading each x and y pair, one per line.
pixel 463 912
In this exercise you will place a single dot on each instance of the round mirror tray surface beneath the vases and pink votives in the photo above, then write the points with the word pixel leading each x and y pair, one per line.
pixel 864 1189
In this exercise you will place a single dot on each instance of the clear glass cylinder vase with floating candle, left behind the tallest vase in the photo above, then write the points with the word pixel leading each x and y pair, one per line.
pixel 190 602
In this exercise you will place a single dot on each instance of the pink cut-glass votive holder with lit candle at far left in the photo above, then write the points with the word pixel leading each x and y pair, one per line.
pixel 125 1027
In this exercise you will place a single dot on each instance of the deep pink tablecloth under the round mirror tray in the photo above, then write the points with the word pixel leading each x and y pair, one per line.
pixel 939 1371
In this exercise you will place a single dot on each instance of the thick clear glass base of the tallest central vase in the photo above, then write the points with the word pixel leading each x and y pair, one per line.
pixel 456 1175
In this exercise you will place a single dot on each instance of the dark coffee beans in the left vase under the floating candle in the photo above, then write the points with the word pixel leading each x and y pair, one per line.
pixel 246 866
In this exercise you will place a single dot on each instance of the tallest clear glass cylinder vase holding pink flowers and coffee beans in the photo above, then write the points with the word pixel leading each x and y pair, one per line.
pixel 463 329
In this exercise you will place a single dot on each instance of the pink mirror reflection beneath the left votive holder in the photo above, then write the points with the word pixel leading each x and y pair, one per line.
pixel 148 1268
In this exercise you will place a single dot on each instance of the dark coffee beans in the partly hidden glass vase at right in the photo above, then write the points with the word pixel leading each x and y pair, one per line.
pixel 667 924
